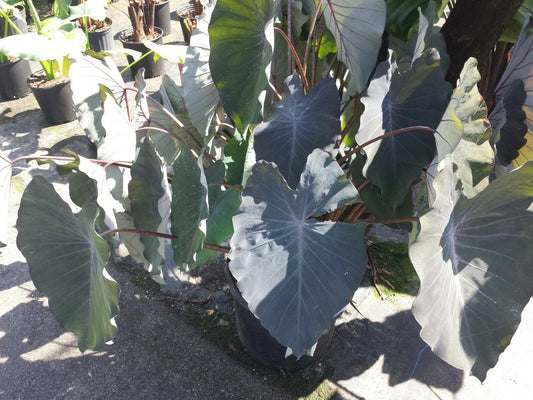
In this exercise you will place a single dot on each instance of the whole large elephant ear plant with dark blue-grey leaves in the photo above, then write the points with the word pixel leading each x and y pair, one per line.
pixel 295 178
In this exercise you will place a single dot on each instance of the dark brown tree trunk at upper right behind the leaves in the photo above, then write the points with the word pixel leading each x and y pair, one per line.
pixel 472 30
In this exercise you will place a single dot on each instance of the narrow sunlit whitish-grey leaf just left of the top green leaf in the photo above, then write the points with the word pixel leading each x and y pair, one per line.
pixel 200 93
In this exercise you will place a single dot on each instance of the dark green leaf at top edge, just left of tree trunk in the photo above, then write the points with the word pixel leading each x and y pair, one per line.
pixel 402 15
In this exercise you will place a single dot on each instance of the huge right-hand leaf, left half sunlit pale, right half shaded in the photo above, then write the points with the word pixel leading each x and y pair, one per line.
pixel 473 257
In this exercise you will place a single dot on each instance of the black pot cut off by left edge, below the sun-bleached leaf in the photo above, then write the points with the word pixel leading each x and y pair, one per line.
pixel 13 79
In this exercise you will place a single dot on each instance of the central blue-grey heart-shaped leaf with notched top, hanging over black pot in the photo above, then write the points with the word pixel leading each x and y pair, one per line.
pixel 296 273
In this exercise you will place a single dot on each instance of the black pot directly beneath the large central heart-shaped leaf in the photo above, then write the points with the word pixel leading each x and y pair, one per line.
pixel 260 345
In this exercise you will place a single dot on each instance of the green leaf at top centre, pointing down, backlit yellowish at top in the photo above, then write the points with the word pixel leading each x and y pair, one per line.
pixel 241 37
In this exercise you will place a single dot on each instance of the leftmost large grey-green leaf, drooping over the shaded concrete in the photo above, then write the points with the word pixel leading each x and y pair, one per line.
pixel 67 259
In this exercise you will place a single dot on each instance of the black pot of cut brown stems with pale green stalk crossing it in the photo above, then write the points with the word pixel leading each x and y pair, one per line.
pixel 142 18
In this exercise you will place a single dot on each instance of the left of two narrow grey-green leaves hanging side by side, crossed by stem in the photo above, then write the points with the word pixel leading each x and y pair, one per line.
pixel 150 199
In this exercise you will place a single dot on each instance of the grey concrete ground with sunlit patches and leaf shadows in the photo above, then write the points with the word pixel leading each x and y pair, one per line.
pixel 158 354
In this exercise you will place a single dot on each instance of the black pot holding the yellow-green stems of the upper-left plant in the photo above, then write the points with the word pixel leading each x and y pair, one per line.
pixel 55 101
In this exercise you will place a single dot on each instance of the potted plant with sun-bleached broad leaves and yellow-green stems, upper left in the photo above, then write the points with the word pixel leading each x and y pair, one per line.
pixel 53 41
